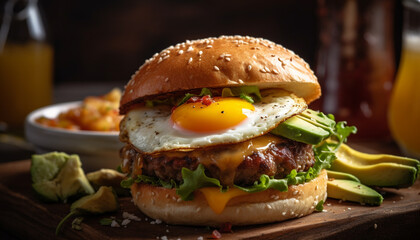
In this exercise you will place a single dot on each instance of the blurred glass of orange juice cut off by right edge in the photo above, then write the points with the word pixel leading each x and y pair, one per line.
pixel 404 111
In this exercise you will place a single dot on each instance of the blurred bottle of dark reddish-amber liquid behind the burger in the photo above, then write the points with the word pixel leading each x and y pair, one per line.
pixel 356 63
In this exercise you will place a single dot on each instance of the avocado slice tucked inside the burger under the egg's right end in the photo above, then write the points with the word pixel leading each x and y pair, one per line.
pixel 295 128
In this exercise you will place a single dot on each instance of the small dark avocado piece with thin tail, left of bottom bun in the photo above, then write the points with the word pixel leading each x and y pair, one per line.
pixel 103 201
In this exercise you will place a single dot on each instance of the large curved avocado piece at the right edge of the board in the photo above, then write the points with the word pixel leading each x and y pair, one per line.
pixel 376 169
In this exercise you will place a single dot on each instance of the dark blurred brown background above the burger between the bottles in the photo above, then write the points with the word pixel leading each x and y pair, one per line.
pixel 107 40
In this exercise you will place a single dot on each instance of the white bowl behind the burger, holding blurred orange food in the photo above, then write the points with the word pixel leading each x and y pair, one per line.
pixel 96 149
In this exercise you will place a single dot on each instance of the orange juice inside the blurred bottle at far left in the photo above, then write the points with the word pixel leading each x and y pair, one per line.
pixel 25 80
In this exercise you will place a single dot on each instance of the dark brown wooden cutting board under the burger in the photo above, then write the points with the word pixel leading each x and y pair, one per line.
pixel 24 216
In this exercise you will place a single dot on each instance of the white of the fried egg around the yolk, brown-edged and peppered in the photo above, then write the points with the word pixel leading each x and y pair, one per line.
pixel 151 130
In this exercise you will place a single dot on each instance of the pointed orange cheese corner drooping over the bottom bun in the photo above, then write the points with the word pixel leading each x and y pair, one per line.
pixel 217 200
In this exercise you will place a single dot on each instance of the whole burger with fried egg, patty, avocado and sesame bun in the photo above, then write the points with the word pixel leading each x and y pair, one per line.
pixel 203 134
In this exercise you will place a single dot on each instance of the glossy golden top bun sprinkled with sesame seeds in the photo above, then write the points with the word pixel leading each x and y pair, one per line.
pixel 226 61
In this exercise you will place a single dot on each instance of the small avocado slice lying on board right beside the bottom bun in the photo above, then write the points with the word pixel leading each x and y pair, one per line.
pixel 348 190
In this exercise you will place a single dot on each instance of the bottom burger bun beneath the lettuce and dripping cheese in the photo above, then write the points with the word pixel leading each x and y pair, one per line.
pixel 255 208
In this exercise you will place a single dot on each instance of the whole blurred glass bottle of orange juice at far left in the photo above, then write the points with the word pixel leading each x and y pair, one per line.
pixel 26 61
